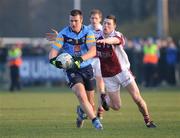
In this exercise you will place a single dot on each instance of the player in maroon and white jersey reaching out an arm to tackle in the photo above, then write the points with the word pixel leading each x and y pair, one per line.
pixel 115 68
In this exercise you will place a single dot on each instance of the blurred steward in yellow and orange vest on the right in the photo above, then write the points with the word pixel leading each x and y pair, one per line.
pixel 150 61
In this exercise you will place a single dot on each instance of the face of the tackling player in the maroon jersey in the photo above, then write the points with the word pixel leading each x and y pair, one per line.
pixel 108 26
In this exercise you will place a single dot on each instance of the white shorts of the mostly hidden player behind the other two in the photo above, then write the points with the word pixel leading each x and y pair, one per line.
pixel 96 67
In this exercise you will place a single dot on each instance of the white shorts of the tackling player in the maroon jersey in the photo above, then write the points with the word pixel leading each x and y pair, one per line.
pixel 123 79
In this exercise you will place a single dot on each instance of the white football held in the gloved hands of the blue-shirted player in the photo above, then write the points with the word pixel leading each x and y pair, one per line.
pixel 66 60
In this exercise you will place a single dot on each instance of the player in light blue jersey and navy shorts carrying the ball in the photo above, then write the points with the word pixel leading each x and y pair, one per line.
pixel 77 40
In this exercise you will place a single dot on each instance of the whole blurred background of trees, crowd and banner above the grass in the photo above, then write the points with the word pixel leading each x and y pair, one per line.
pixel 155 23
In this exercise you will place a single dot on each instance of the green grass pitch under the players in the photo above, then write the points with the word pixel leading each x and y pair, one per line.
pixel 50 113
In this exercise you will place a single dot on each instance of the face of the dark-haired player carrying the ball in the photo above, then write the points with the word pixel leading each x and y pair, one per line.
pixel 76 23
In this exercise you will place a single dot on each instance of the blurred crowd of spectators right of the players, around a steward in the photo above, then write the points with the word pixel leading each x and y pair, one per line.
pixel 154 62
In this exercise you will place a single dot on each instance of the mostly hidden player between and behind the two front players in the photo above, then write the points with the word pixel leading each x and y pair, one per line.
pixel 96 27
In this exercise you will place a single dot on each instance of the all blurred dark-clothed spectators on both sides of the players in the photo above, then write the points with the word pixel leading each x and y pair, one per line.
pixel 154 62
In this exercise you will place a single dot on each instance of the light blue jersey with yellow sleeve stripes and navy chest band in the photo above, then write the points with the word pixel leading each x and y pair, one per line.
pixel 76 44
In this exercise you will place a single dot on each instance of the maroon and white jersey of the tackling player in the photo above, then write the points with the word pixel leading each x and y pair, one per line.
pixel 113 58
